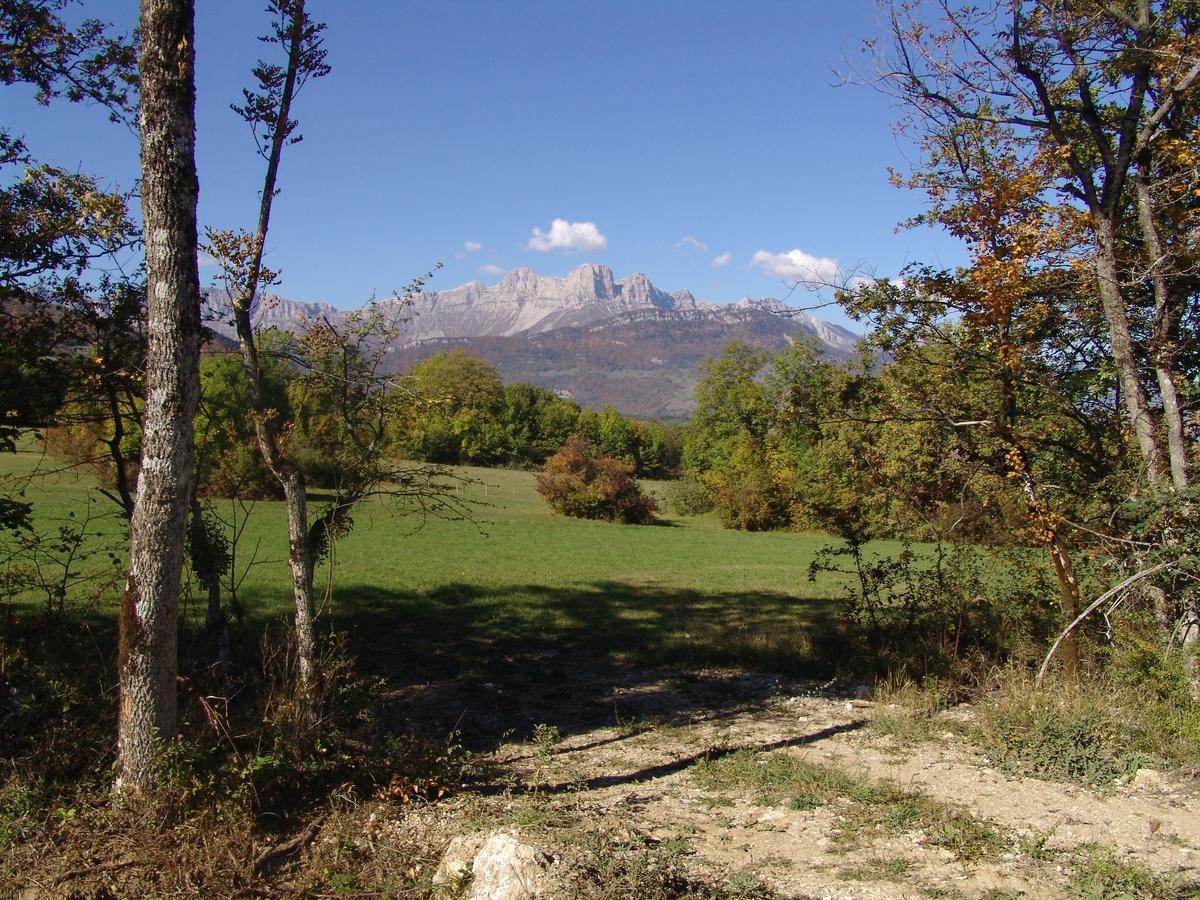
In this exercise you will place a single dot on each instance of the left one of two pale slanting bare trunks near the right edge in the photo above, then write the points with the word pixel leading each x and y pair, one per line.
pixel 1108 281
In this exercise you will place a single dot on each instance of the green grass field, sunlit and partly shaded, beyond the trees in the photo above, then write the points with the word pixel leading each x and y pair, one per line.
pixel 440 597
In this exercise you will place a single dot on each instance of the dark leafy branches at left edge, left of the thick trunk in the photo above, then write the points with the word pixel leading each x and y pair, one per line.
pixel 53 223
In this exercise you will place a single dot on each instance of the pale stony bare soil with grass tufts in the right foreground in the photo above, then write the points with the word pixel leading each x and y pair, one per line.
pixel 723 767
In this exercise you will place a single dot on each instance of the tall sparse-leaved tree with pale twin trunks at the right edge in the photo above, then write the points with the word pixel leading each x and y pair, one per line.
pixel 1100 103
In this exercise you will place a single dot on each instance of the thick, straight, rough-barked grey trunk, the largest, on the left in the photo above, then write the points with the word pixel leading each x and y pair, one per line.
pixel 147 662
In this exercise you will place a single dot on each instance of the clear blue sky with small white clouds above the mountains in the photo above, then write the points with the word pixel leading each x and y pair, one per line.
pixel 704 143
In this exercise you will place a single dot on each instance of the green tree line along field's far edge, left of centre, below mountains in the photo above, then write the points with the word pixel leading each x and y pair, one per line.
pixel 452 409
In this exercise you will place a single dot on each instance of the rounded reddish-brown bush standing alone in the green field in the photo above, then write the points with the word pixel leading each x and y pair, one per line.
pixel 579 484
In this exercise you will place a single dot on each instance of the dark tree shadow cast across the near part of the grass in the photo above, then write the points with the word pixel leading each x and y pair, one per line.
pixel 497 662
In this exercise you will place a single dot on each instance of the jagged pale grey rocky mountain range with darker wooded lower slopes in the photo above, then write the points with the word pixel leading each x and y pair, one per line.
pixel 586 337
